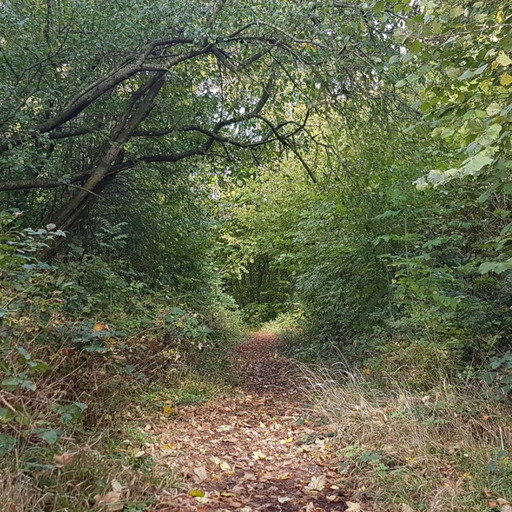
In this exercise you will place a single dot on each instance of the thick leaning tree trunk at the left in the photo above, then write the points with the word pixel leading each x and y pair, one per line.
pixel 140 105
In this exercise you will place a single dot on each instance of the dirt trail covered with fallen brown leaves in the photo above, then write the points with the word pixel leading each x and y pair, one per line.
pixel 260 450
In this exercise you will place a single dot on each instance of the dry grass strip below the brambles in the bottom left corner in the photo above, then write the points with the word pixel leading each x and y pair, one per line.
pixel 93 472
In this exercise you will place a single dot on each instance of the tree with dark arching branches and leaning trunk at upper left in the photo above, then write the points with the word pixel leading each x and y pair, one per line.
pixel 93 91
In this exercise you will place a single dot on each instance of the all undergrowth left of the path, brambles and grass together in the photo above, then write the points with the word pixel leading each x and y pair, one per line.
pixel 89 353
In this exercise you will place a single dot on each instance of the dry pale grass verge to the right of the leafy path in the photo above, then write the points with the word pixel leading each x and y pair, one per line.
pixel 447 450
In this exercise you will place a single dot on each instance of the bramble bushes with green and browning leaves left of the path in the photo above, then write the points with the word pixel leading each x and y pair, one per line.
pixel 54 318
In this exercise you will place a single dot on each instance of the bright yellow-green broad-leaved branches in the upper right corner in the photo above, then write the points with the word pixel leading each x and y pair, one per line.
pixel 459 53
